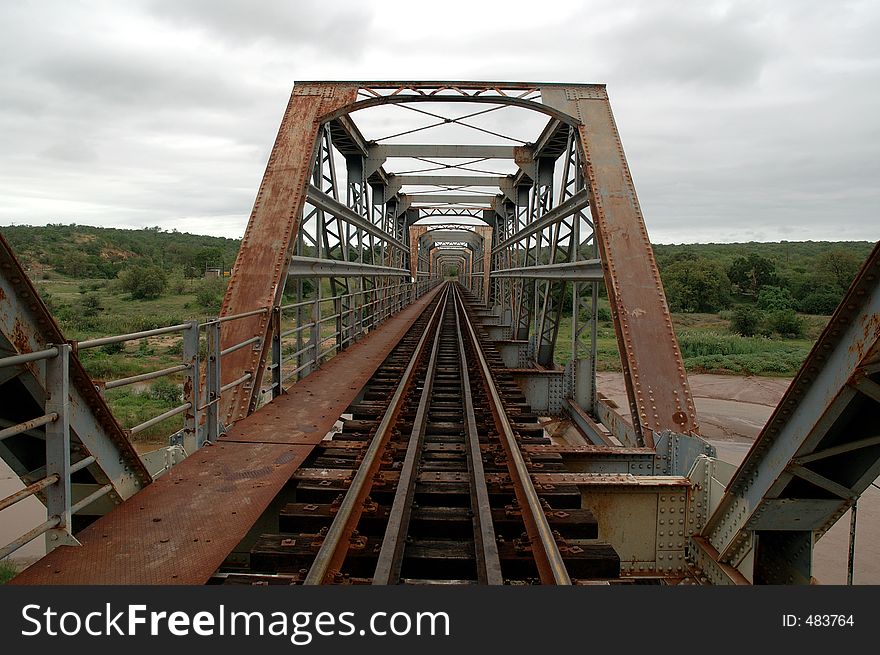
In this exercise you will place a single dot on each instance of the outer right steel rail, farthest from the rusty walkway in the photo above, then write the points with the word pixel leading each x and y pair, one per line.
pixel 551 567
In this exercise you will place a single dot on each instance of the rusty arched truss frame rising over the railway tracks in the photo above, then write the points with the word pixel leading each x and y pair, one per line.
pixel 548 249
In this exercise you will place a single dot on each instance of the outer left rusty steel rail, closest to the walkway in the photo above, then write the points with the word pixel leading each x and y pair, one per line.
pixel 334 548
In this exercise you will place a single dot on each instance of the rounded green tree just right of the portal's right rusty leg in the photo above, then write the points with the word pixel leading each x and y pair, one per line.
pixel 696 285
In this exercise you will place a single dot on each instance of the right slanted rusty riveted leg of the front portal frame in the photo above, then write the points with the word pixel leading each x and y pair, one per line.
pixel 656 381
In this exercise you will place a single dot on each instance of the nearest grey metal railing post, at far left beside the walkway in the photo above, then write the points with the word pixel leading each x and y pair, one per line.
pixel 58 499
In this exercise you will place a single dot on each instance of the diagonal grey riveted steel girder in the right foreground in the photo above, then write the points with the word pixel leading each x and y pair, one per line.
pixel 821 447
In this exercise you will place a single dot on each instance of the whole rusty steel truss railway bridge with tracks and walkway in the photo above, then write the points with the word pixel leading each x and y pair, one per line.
pixel 352 415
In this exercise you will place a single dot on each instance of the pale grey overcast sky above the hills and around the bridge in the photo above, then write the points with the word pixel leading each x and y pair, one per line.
pixel 741 120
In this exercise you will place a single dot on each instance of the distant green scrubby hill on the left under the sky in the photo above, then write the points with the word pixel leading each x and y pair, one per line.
pixel 82 251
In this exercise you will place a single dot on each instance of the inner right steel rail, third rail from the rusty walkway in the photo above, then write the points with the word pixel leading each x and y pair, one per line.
pixel 486 546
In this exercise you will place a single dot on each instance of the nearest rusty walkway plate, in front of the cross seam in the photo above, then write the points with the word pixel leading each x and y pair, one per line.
pixel 154 539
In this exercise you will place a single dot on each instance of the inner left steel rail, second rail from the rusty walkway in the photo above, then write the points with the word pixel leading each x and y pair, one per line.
pixel 393 543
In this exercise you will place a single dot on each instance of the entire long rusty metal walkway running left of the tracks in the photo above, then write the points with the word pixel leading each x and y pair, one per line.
pixel 179 529
